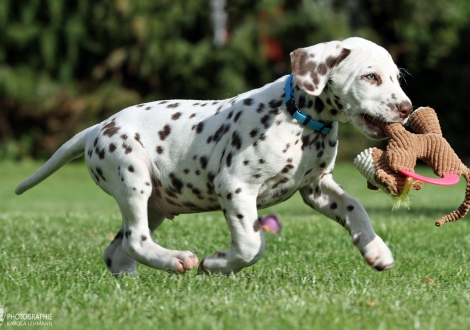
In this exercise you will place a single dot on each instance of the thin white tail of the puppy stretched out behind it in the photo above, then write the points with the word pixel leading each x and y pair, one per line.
pixel 73 148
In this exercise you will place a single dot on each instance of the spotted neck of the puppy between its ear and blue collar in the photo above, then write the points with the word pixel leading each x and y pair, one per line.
pixel 326 107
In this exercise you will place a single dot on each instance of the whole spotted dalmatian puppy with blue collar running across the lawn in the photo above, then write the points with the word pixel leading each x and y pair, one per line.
pixel 239 155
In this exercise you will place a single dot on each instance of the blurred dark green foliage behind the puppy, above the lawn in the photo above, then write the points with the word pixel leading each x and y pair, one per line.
pixel 65 65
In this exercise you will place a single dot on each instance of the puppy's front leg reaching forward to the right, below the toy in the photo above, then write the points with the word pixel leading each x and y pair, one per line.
pixel 327 197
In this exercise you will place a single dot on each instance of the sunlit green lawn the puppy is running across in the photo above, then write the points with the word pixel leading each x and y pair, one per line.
pixel 310 277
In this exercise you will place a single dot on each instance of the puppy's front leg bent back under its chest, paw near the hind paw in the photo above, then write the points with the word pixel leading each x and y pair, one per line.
pixel 238 202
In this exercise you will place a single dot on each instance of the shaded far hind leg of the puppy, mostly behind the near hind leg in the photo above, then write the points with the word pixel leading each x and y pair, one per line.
pixel 117 261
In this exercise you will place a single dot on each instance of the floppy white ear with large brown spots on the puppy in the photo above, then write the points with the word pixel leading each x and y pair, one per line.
pixel 312 66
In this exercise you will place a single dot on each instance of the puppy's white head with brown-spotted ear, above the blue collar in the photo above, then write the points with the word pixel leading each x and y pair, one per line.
pixel 356 80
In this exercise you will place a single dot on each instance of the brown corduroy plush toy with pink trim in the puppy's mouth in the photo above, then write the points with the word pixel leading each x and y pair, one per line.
pixel 393 170
